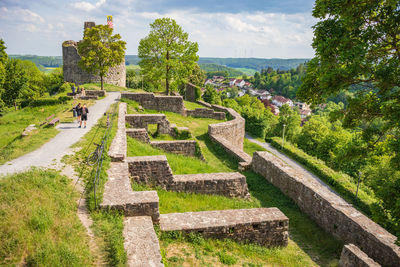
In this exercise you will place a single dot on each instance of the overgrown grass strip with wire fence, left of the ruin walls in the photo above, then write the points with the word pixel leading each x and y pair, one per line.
pixel 107 226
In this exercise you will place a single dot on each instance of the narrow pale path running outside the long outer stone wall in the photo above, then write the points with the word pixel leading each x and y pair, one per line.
pixel 297 166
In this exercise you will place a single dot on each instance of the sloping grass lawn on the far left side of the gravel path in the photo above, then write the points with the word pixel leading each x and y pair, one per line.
pixel 13 123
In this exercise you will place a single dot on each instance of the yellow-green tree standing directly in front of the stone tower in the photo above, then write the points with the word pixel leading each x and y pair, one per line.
pixel 100 50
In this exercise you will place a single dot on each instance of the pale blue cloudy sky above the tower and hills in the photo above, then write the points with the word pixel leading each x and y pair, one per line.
pixel 222 28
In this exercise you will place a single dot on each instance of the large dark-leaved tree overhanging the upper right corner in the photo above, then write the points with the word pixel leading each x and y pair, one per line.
pixel 358 43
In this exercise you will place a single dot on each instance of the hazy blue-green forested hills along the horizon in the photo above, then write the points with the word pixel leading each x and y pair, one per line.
pixel 255 64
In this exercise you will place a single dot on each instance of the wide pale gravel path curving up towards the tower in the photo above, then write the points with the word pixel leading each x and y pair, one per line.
pixel 52 152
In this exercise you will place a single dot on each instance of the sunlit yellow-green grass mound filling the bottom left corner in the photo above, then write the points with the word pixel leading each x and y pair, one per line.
pixel 38 221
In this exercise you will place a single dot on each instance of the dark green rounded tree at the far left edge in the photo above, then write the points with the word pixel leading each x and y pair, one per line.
pixel 15 82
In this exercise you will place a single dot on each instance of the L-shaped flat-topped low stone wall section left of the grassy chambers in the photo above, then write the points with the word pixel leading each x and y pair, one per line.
pixel 118 194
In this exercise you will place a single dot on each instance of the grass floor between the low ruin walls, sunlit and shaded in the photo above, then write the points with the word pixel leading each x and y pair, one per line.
pixel 308 244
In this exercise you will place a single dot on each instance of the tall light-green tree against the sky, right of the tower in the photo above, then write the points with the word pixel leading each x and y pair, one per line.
pixel 166 53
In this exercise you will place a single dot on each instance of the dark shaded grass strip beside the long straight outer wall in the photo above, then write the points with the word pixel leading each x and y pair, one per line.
pixel 322 247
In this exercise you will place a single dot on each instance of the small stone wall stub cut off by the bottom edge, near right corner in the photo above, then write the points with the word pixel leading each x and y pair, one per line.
pixel 352 256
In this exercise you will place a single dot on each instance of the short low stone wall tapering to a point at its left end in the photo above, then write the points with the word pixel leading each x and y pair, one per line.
pixel 182 147
